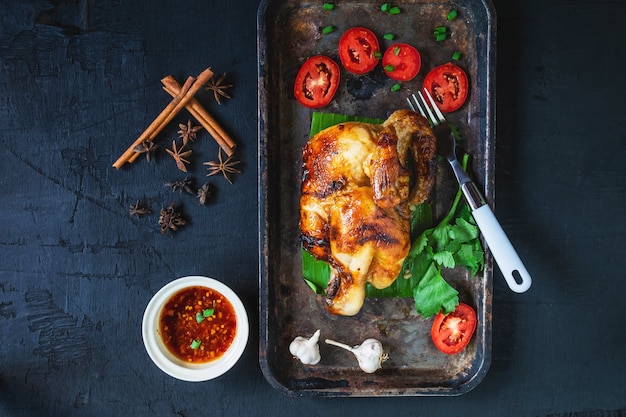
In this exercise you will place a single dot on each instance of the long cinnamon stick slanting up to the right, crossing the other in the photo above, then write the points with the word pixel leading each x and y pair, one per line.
pixel 186 93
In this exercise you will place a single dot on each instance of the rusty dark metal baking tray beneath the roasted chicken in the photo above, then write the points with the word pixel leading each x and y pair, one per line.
pixel 288 33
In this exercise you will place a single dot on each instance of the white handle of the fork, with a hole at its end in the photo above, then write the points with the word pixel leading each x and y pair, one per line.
pixel 503 251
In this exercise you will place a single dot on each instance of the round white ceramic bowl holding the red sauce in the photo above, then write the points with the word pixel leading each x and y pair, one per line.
pixel 176 367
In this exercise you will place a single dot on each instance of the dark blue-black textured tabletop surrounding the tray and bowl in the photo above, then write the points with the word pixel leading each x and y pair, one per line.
pixel 79 81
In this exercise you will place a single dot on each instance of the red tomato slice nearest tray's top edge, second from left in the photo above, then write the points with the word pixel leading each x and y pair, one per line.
pixel 358 50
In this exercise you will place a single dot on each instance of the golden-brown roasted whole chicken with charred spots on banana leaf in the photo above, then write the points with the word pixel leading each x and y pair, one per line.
pixel 356 197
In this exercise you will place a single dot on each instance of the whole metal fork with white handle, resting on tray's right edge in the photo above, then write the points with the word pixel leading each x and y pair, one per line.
pixel 509 262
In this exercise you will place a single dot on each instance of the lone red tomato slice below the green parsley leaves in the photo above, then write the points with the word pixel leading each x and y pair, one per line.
pixel 452 332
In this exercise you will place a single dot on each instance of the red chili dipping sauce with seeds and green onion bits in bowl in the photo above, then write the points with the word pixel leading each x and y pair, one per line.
pixel 198 324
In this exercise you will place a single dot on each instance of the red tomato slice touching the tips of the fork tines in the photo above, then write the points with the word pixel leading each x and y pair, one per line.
pixel 448 85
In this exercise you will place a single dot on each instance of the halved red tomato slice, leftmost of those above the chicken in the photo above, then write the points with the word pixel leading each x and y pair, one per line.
pixel 316 81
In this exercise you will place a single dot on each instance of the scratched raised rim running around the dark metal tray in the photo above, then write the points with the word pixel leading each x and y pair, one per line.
pixel 263 192
